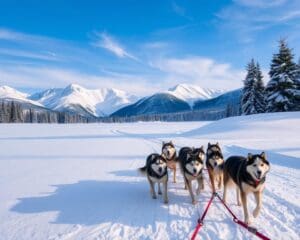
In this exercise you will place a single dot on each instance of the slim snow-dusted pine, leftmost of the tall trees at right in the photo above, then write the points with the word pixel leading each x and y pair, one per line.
pixel 248 96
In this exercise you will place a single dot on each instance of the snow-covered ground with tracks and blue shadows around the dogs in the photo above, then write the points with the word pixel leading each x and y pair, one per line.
pixel 80 181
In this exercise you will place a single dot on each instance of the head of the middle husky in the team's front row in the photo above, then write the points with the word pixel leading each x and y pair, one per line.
pixel 194 162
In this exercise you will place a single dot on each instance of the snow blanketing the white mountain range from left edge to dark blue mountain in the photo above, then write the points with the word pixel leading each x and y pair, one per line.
pixel 98 102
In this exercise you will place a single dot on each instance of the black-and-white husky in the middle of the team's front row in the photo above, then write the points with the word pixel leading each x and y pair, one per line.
pixel 191 166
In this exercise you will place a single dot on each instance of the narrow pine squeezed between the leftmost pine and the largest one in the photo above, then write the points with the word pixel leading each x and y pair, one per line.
pixel 259 91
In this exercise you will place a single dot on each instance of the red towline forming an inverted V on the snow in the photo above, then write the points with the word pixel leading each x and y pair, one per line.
pixel 235 219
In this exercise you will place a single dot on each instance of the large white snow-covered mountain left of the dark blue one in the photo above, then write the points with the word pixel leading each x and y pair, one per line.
pixel 74 98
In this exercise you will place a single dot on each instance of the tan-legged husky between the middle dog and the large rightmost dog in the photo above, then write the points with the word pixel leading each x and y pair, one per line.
pixel 214 165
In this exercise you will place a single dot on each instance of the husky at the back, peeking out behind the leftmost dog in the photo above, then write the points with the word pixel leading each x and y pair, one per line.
pixel 169 153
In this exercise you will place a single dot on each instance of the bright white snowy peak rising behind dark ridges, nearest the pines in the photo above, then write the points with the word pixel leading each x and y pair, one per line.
pixel 191 93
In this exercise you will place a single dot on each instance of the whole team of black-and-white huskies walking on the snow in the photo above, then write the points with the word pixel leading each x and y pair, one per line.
pixel 246 174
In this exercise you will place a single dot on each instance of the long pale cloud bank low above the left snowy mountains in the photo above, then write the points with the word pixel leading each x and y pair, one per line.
pixel 51 77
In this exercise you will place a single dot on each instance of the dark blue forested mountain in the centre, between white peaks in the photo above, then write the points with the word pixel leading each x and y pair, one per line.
pixel 156 104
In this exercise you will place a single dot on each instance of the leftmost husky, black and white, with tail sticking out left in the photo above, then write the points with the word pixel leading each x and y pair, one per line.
pixel 157 172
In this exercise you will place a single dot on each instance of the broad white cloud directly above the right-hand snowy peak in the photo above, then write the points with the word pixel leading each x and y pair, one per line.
pixel 202 71
